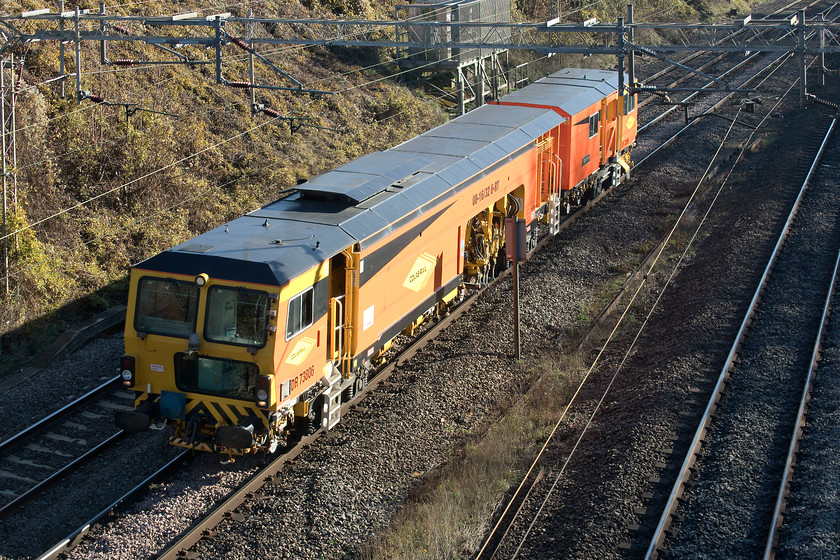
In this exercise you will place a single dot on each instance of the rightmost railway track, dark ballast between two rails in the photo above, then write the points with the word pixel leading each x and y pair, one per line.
pixel 723 499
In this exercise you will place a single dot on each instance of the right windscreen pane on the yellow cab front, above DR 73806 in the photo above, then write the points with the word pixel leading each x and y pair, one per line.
pixel 236 316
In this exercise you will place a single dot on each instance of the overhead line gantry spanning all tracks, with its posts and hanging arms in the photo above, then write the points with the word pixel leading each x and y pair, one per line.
pixel 804 37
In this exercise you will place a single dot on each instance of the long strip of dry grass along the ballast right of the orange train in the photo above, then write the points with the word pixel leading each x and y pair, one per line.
pixel 448 515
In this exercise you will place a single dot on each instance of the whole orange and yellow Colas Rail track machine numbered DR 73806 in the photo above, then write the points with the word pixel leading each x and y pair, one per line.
pixel 275 318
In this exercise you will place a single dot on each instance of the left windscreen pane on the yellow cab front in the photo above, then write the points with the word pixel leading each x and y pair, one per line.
pixel 166 306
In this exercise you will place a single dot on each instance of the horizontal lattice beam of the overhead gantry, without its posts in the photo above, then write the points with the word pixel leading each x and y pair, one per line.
pixel 219 30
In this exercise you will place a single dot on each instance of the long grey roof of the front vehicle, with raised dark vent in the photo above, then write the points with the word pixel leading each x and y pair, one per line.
pixel 359 202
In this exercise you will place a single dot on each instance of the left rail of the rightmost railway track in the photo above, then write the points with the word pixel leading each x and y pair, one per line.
pixel 694 448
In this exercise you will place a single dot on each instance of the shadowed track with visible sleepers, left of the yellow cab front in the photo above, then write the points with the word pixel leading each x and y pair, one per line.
pixel 52 449
